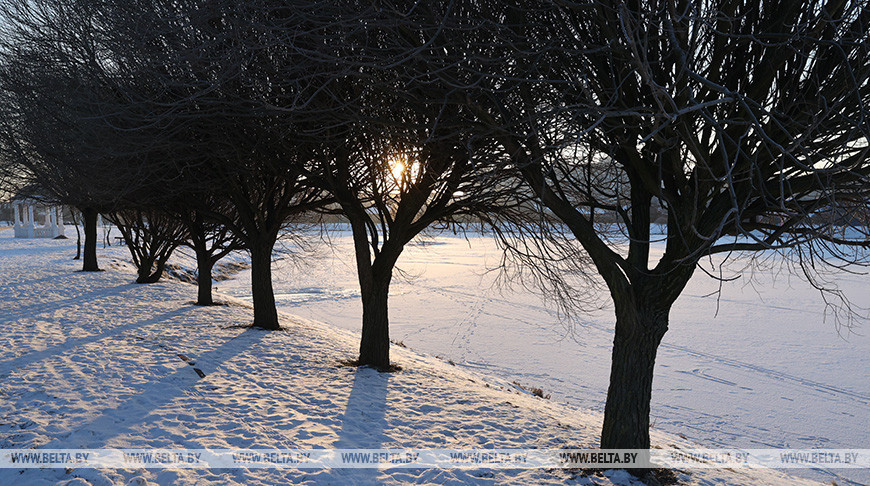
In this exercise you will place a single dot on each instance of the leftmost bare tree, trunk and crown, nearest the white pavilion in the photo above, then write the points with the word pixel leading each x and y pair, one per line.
pixel 55 90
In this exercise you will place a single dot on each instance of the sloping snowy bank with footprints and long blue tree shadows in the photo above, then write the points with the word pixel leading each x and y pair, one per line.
pixel 92 360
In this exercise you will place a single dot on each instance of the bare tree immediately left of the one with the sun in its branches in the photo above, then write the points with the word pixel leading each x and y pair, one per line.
pixel 222 88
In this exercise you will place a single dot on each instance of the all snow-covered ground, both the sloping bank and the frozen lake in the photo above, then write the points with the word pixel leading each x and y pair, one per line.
pixel 91 360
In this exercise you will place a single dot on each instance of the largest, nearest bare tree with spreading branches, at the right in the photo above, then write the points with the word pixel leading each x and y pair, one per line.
pixel 742 122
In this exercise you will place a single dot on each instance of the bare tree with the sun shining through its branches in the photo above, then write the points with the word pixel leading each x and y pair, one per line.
pixel 393 149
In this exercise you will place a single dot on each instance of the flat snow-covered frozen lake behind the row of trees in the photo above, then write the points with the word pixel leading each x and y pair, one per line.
pixel 767 370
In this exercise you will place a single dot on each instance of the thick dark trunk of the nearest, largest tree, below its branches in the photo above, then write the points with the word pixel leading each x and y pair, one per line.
pixel 639 330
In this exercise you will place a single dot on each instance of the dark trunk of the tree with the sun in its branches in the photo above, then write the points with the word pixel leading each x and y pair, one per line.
pixel 374 349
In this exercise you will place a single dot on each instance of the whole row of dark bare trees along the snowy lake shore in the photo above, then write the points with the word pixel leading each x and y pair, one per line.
pixel 745 123
